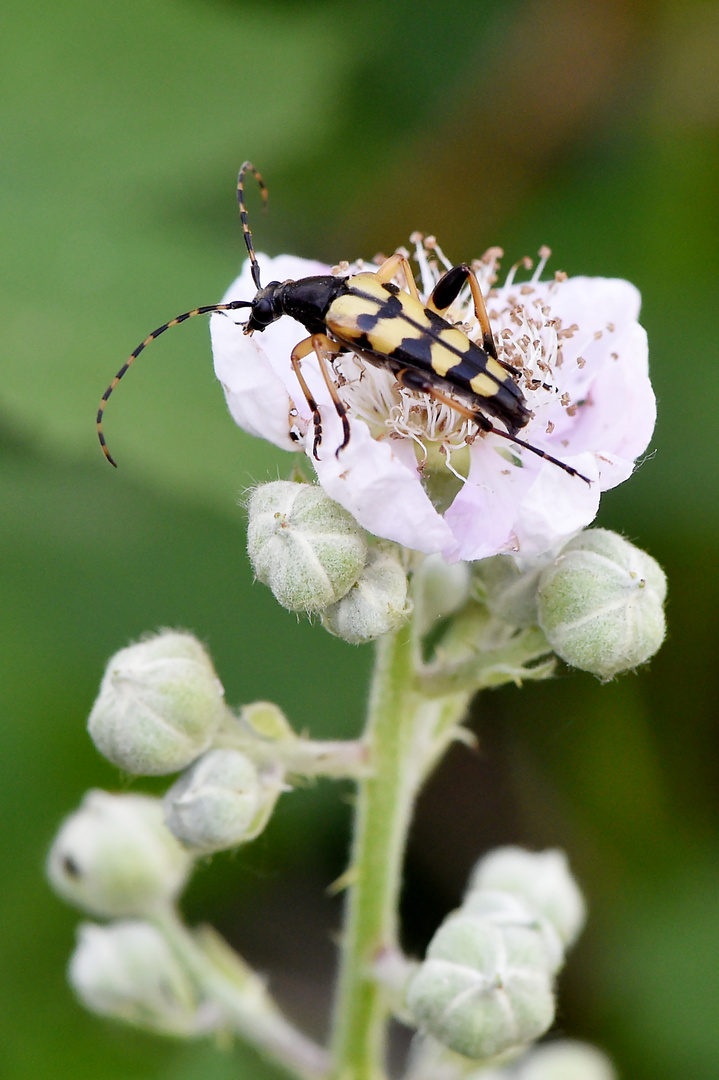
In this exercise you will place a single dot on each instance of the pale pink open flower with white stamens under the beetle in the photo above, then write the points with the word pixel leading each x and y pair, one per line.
pixel 416 471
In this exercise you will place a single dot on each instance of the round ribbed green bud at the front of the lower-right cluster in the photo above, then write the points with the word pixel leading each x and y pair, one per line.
pixel 483 989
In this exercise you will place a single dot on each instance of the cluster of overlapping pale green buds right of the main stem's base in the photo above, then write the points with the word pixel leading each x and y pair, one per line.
pixel 487 983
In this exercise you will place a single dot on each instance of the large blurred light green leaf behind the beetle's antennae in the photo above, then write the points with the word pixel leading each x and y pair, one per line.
pixel 118 117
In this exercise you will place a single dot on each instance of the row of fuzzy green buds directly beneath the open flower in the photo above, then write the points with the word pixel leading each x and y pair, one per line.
pixel 600 602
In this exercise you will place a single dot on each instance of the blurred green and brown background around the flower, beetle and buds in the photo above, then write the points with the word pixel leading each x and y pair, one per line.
pixel 592 126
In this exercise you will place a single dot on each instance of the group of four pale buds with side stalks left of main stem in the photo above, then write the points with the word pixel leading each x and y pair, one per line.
pixel 161 708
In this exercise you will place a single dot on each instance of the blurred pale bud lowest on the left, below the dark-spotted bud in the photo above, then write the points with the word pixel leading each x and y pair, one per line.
pixel 127 971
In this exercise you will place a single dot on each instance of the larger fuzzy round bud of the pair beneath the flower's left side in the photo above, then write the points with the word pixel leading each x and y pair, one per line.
pixel 304 545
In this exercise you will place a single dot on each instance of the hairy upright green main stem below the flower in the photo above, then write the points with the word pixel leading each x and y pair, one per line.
pixel 404 734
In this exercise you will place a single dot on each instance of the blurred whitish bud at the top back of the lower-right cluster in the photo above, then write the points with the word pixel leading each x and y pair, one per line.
pixel 541 879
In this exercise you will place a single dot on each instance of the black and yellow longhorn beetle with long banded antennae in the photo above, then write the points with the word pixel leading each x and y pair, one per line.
pixel 369 315
